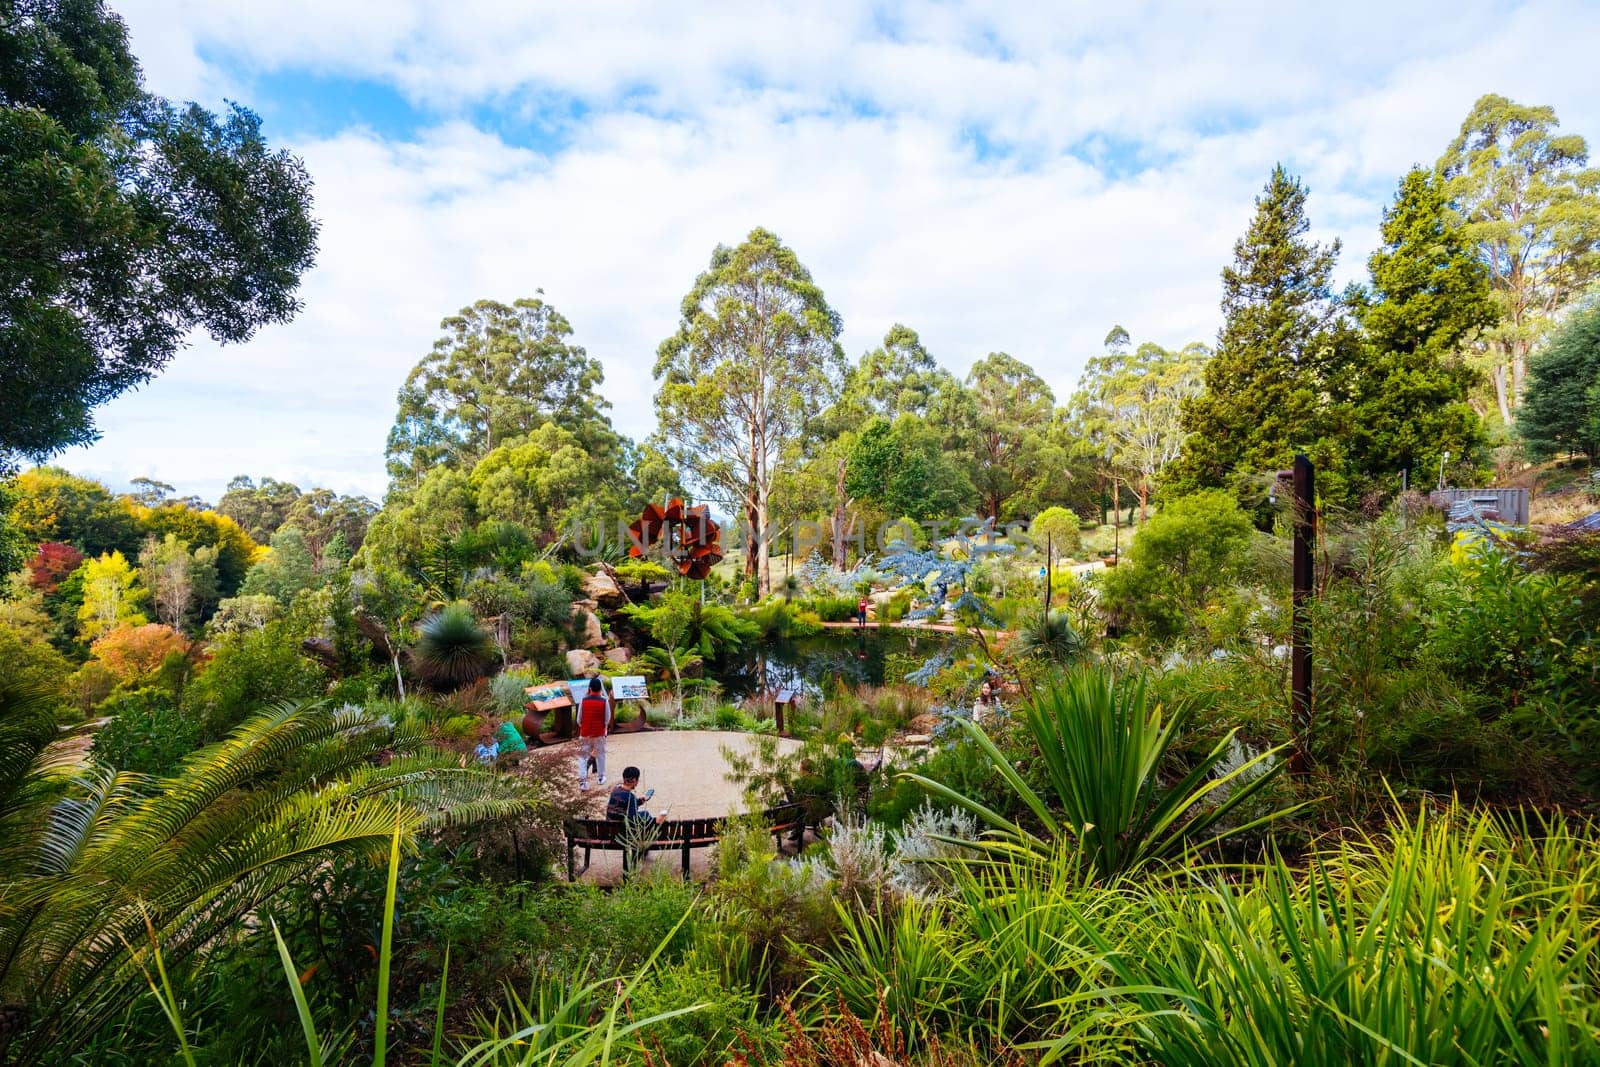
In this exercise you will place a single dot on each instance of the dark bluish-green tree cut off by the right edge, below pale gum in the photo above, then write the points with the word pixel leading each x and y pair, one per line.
pixel 1562 410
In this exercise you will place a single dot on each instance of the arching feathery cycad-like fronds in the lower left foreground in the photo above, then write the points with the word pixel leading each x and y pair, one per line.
pixel 198 852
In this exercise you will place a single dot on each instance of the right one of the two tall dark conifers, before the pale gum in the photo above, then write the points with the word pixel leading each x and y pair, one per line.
pixel 1428 298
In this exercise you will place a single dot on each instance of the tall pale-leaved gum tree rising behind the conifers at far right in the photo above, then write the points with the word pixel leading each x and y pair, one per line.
pixel 1532 209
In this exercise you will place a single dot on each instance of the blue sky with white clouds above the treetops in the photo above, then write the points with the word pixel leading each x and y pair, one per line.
pixel 1002 178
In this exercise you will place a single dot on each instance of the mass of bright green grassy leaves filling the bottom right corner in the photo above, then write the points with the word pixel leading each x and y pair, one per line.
pixel 1462 940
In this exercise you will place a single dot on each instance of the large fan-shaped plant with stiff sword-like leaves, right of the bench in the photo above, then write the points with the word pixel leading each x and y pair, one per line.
pixel 1103 749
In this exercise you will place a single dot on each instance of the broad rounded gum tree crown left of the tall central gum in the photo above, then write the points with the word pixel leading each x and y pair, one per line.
pixel 497 375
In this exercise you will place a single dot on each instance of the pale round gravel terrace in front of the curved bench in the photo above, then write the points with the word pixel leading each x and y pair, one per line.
pixel 686 769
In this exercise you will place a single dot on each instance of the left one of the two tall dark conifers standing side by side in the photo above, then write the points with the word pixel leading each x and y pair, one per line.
pixel 1282 330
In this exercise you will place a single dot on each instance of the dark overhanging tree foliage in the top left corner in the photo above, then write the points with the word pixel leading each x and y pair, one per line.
pixel 126 223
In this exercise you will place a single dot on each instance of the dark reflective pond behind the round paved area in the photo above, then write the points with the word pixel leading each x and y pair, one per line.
pixel 807 665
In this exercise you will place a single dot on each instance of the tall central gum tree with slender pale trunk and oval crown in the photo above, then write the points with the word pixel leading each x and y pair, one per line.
pixel 754 359
